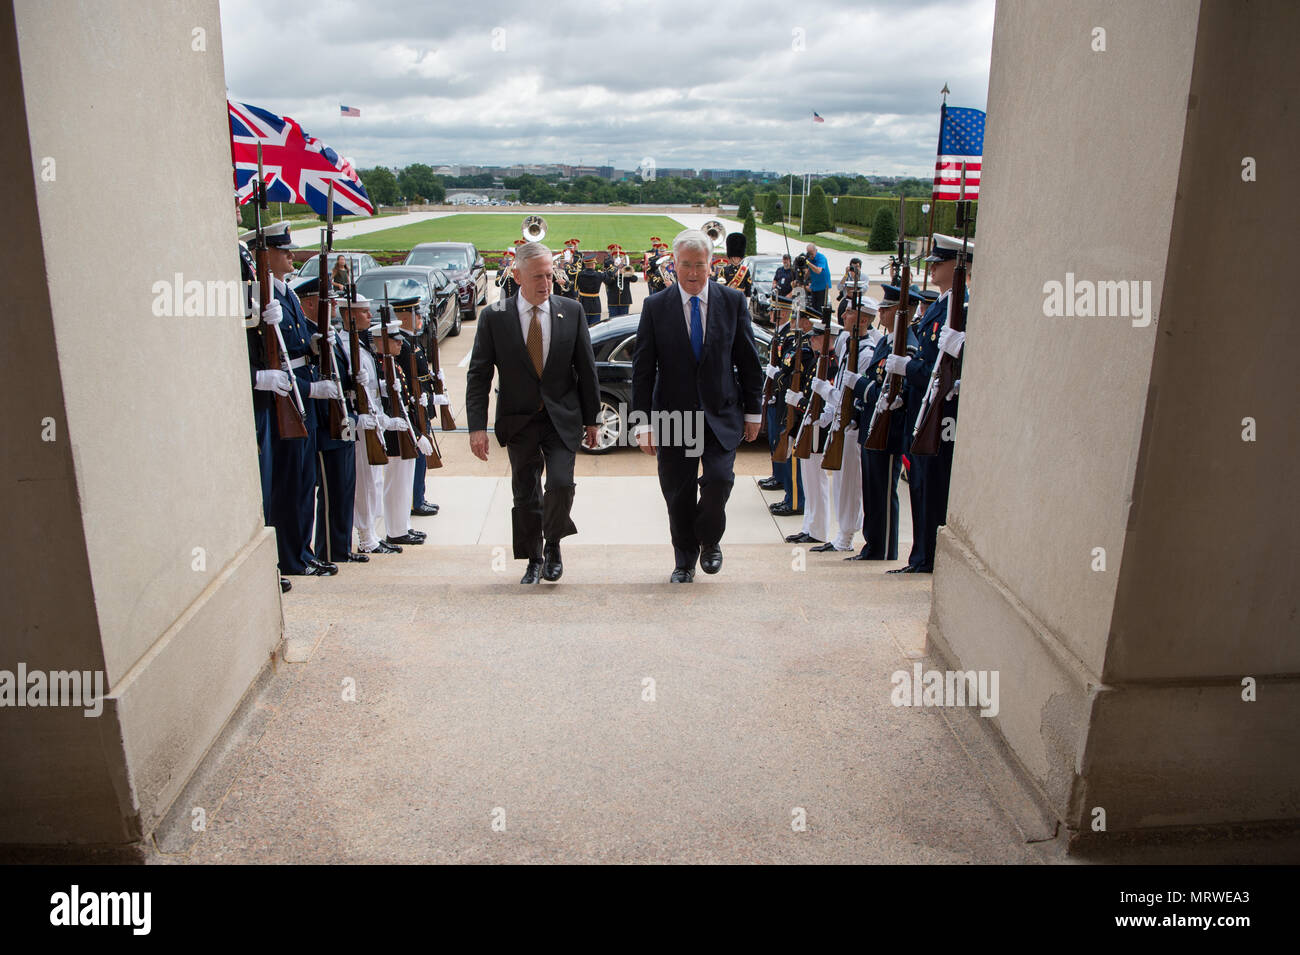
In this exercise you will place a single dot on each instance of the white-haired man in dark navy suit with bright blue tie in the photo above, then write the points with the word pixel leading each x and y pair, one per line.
pixel 696 359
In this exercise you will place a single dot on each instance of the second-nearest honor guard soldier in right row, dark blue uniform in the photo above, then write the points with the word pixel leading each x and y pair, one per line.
pixel 881 470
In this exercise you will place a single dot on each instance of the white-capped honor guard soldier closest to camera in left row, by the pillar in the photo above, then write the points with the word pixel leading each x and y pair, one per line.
pixel 293 467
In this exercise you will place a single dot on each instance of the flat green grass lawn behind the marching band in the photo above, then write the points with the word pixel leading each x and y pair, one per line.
pixel 500 231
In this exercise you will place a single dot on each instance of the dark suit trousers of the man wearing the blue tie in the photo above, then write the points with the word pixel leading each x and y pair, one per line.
pixel 695 520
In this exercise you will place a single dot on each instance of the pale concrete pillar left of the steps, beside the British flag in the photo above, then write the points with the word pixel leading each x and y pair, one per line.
pixel 135 545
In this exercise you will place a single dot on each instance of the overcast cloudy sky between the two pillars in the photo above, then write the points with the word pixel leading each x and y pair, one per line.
pixel 683 83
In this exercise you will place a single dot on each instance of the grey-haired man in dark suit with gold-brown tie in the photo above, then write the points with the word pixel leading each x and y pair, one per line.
pixel 548 394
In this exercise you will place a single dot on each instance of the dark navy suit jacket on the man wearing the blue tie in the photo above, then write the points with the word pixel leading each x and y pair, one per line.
pixel 726 385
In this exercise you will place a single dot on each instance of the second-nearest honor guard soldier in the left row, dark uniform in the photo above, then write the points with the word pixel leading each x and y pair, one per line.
pixel 336 465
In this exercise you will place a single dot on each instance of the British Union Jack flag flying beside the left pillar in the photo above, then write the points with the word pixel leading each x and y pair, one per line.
pixel 298 168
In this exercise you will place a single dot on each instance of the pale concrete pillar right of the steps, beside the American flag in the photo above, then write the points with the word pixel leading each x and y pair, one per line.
pixel 1123 688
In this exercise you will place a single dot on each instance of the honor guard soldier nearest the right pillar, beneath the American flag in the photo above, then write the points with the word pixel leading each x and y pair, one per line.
pixel 929 475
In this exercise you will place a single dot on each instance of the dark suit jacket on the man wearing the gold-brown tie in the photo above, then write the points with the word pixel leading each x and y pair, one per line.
pixel 569 387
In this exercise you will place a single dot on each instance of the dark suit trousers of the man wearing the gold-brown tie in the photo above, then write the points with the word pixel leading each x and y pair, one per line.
pixel 540 513
